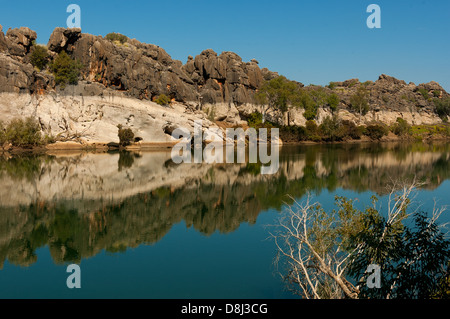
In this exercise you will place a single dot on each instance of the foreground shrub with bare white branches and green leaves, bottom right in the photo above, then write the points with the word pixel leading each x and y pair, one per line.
pixel 327 254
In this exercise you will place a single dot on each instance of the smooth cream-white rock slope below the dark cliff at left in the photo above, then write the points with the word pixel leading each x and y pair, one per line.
pixel 94 119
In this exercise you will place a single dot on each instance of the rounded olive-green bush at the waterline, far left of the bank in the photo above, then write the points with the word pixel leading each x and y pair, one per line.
pixel 23 133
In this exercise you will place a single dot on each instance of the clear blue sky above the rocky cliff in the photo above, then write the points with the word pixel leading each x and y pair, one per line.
pixel 308 41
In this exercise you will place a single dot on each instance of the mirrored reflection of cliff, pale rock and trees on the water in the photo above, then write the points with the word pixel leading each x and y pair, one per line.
pixel 80 204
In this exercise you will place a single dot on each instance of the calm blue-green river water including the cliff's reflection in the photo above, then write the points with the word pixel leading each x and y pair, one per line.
pixel 142 227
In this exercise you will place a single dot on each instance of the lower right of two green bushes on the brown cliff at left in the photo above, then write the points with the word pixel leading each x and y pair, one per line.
pixel 65 69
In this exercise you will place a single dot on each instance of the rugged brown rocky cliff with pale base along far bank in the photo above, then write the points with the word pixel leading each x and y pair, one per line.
pixel 218 87
